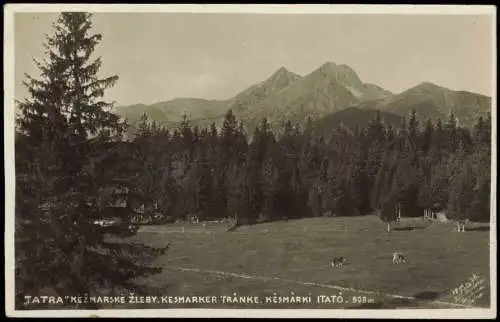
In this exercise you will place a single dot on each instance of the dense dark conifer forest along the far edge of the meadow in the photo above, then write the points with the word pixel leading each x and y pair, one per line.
pixel 414 169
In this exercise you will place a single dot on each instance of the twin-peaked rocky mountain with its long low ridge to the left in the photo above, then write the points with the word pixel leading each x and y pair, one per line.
pixel 284 95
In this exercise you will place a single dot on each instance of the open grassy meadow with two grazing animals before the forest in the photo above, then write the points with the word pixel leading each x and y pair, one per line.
pixel 294 256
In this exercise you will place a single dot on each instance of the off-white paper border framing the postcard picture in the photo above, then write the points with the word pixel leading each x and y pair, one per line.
pixel 9 84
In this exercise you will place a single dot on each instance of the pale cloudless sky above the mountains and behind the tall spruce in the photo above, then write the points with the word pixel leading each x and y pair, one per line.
pixel 161 56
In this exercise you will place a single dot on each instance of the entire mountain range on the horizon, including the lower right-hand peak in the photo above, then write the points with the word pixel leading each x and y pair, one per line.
pixel 321 94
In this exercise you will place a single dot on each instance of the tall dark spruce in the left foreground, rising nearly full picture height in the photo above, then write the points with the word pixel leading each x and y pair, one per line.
pixel 66 141
